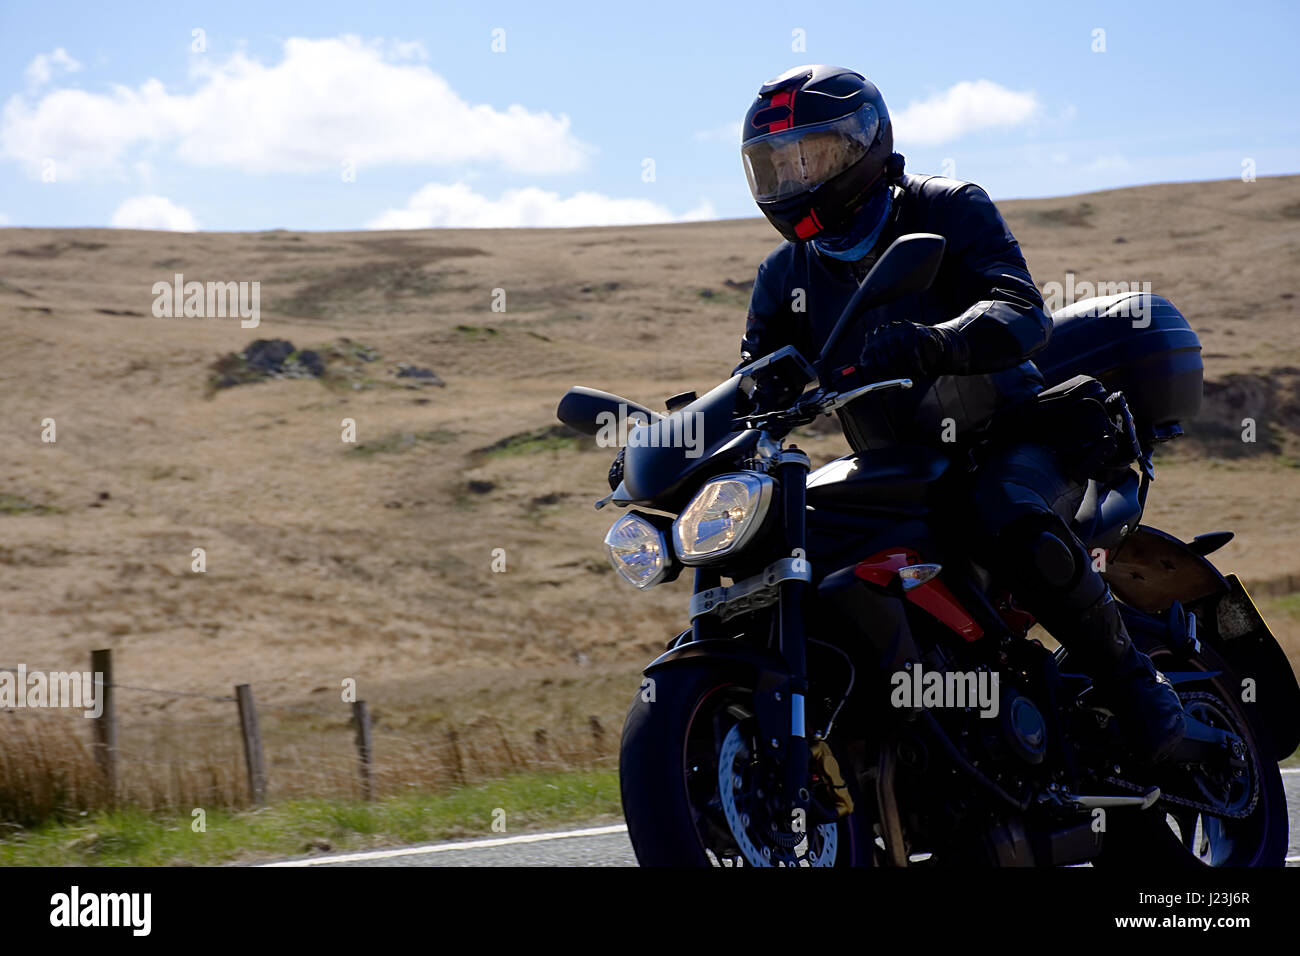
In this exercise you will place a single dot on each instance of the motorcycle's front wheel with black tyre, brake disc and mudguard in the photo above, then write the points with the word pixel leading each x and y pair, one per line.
pixel 699 790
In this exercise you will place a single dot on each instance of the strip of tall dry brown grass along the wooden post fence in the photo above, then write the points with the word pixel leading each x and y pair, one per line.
pixel 49 771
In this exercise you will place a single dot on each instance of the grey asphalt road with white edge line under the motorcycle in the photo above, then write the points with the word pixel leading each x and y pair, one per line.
pixel 601 846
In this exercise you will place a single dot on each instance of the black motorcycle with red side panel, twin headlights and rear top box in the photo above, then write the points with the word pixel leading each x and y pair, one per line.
pixel 855 689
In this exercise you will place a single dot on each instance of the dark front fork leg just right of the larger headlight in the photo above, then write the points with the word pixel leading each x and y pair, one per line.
pixel 792 474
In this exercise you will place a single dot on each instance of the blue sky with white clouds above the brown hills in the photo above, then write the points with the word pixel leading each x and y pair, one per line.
pixel 388 115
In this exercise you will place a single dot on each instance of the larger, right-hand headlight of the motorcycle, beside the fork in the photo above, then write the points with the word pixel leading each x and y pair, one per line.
pixel 722 517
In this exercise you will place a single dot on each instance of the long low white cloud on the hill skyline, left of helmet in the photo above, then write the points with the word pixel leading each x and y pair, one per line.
pixel 458 206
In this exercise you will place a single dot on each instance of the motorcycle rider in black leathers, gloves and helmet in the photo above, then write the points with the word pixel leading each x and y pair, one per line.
pixel 818 155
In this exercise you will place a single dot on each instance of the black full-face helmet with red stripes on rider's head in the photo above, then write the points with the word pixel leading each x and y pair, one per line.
pixel 817 142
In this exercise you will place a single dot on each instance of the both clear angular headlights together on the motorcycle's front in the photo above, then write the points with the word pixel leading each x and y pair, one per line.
pixel 721 520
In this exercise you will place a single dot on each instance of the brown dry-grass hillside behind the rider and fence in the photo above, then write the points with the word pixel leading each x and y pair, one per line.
pixel 375 563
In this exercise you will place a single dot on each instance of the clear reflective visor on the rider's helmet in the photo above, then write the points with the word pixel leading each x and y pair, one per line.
pixel 792 162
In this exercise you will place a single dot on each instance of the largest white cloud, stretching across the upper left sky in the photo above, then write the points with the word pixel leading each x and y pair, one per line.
pixel 327 102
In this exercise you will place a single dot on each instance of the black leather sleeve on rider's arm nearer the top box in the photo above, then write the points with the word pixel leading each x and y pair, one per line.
pixel 1008 322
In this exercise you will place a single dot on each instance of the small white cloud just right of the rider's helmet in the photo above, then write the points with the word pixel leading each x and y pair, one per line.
pixel 963 109
